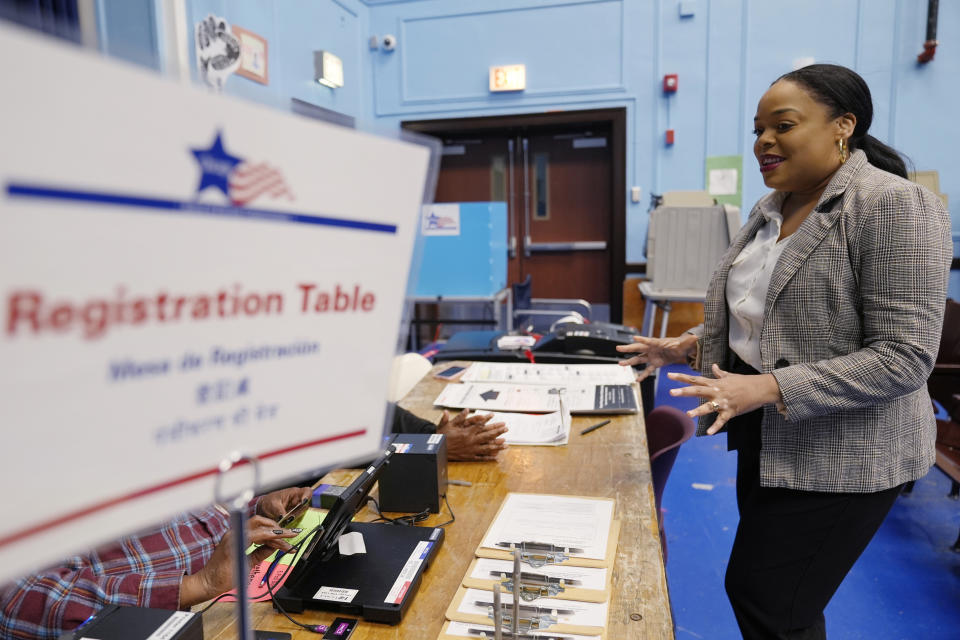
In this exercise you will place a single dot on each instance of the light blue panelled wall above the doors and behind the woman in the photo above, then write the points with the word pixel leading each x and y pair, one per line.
pixel 585 54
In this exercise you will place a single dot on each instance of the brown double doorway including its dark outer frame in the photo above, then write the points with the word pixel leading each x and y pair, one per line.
pixel 584 184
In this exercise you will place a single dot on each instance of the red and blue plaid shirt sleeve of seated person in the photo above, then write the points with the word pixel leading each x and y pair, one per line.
pixel 142 570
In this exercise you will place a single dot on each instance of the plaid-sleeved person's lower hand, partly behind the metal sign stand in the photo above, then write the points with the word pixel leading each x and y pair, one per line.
pixel 216 577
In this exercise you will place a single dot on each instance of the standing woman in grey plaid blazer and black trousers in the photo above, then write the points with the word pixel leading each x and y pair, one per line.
pixel 821 326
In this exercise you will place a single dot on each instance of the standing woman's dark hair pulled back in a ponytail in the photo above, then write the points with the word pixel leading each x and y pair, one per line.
pixel 842 91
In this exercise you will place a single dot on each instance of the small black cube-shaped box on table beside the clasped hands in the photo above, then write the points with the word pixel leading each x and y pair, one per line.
pixel 416 478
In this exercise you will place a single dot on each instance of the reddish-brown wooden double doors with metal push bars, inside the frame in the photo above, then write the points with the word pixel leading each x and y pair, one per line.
pixel 557 182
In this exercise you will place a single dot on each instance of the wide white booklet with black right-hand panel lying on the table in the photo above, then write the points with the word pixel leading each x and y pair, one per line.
pixel 494 396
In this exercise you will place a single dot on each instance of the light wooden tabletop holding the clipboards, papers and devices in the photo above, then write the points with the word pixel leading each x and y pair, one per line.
pixel 609 462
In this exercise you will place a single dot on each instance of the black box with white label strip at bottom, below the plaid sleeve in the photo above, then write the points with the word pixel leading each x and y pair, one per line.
pixel 139 623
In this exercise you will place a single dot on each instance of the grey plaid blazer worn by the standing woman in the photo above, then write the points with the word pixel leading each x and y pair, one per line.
pixel 851 329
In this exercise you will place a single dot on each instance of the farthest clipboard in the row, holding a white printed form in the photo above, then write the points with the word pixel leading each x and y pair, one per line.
pixel 578 530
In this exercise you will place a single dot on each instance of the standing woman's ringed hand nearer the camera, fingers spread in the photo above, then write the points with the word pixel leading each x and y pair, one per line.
pixel 729 394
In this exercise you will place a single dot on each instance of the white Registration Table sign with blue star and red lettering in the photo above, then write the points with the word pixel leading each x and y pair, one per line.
pixel 182 275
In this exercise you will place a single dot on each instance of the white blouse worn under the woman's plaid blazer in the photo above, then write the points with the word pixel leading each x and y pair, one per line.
pixel 747 285
